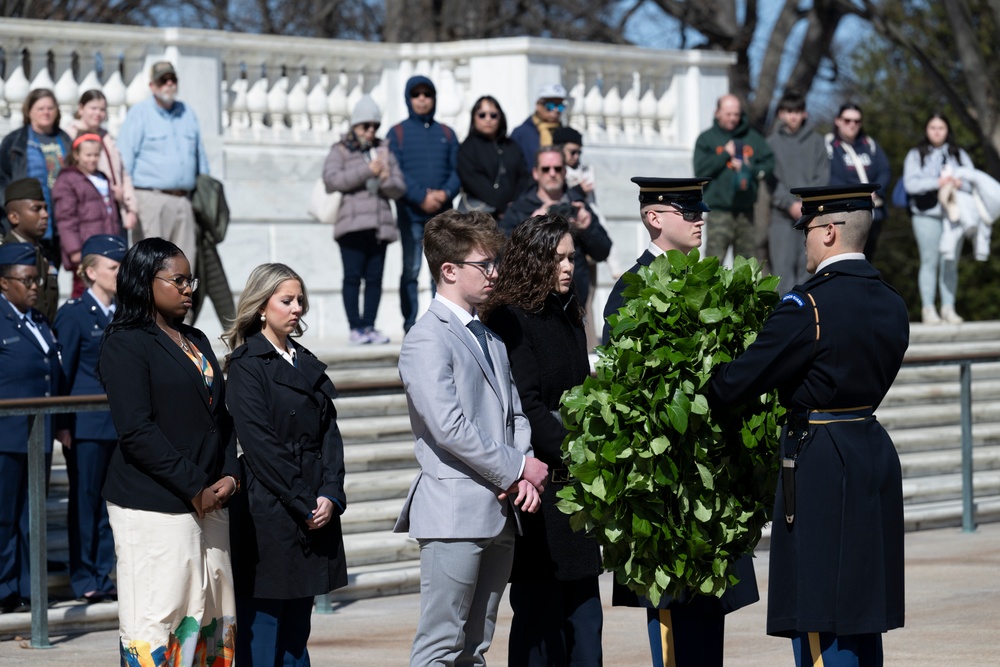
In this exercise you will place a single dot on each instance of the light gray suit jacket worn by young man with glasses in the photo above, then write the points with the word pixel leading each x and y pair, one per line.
pixel 469 430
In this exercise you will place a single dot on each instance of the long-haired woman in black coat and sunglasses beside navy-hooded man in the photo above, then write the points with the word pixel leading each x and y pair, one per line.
pixel 490 166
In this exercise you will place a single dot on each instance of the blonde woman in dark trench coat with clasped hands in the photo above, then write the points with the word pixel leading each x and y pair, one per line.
pixel 287 541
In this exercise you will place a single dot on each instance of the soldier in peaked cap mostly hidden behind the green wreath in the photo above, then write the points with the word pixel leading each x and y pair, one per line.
pixel 688 630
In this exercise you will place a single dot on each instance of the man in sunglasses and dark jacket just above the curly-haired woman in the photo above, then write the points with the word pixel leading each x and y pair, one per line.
pixel 552 197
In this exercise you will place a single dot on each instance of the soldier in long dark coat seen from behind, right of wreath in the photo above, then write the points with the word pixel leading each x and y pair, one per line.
pixel 832 348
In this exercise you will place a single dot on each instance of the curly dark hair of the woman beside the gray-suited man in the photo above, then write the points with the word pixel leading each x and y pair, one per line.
pixel 528 267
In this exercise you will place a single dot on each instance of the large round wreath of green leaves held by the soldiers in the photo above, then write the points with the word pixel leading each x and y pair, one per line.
pixel 673 492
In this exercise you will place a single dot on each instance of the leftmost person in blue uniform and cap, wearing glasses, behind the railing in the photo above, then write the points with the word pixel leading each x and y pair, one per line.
pixel 29 368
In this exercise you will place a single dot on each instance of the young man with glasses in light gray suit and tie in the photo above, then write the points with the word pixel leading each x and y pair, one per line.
pixel 472 441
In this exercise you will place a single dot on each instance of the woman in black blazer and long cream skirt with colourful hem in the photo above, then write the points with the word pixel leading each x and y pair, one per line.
pixel 173 469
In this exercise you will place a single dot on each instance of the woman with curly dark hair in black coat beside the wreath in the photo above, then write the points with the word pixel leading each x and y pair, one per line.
pixel 554 588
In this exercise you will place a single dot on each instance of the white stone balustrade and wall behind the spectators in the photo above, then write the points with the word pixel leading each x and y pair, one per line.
pixel 271 106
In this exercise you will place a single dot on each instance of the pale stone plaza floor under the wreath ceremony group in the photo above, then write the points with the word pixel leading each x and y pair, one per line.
pixel 952 617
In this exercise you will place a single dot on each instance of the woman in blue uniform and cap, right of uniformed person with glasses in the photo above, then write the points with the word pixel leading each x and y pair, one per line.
pixel 80 325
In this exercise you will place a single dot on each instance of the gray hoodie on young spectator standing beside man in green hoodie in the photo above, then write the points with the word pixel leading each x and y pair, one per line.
pixel 800 161
